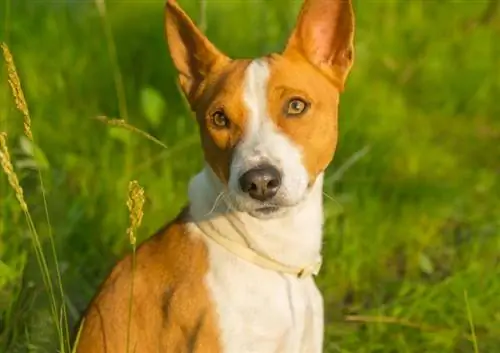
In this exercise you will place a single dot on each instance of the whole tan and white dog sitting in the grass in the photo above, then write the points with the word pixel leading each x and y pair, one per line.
pixel 234 271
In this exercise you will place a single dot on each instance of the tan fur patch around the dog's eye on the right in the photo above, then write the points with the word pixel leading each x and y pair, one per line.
pixel 315 131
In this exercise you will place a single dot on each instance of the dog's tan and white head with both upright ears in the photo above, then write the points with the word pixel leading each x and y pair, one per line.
pixel 268 126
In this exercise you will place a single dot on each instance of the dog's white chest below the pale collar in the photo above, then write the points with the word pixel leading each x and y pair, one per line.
pixel 259 310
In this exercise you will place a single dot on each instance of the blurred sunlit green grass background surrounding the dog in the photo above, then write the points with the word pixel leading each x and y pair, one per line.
pixel 412 238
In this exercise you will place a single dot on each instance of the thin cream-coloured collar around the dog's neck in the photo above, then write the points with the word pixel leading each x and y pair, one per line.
pixel 245 252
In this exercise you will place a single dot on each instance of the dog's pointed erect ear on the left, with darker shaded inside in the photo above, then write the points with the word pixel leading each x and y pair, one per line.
pixel 192 53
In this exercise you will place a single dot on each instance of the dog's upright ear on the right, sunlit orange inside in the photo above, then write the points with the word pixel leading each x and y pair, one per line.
pixel 324 35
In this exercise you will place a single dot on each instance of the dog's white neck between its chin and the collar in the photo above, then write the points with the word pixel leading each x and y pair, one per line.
pixel 293 239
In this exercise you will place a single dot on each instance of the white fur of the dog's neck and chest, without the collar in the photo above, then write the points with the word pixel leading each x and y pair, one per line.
pixel 261 310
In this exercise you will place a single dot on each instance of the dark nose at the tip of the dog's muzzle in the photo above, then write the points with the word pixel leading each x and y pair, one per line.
pixel 261 183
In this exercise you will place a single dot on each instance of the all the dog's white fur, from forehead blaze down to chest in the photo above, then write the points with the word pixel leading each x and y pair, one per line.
pixel 262 311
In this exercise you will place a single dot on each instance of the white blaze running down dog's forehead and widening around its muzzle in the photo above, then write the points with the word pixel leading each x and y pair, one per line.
pixel 263 143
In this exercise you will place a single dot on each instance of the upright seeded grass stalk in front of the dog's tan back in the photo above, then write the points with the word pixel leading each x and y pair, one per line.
pixel 135 204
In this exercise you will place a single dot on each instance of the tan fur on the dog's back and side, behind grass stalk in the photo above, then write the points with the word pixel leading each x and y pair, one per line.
pixel 171 309
